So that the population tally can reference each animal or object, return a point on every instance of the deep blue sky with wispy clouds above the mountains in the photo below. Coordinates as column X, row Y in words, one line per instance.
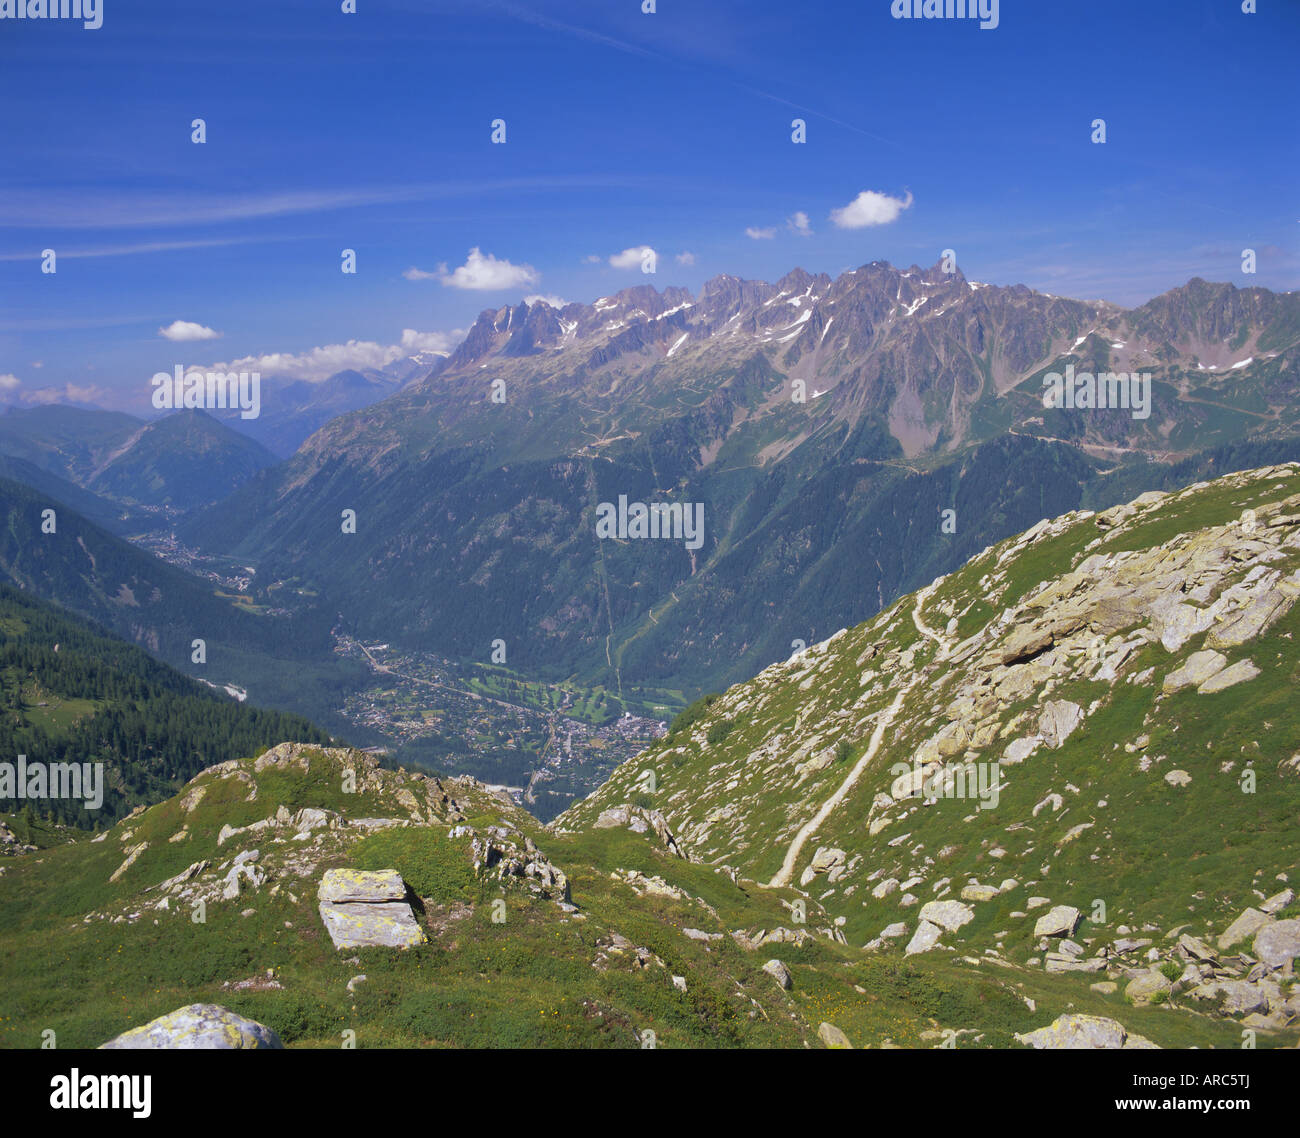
column 673, row 131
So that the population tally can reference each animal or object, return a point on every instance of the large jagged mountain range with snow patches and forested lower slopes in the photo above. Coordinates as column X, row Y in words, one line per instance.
column 824, row 425
